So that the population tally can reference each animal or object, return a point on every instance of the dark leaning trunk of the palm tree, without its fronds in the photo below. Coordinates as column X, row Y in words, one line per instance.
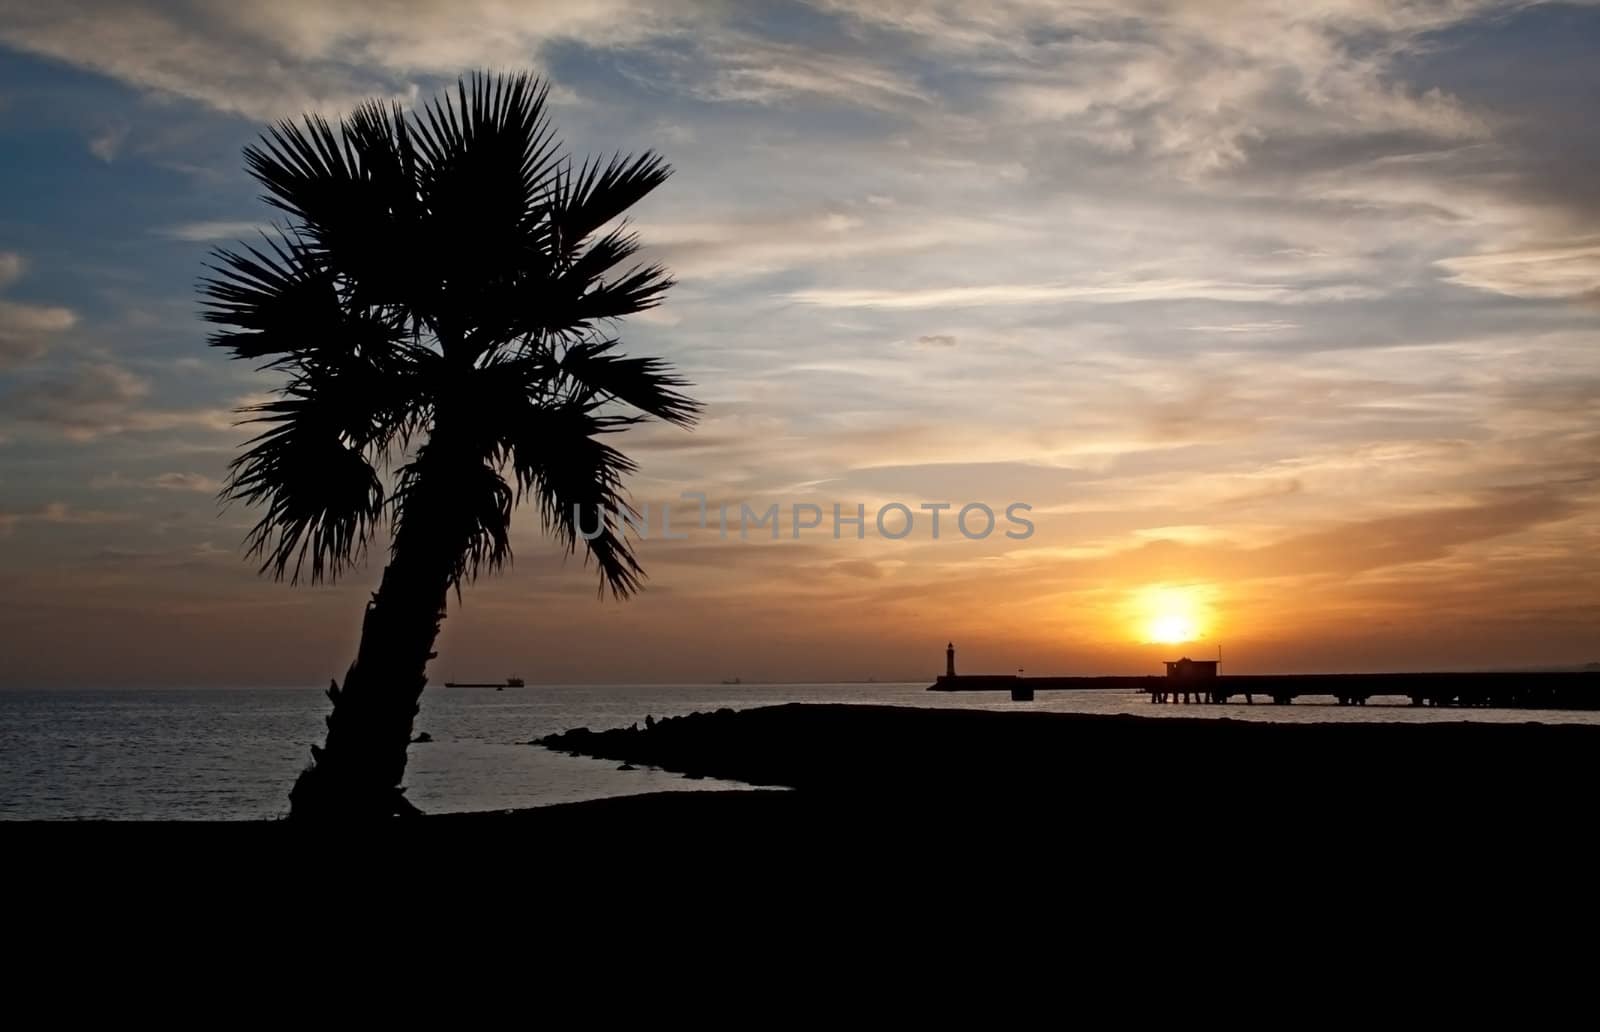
column 359, row 769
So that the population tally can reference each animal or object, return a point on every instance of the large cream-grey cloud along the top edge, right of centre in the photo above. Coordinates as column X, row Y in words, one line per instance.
column 1198, row 89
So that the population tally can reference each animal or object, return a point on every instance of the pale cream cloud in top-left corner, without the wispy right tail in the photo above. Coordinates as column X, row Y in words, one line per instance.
column 306, row 55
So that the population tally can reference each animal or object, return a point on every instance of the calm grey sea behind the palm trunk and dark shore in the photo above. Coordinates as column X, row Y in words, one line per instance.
column 233, row 753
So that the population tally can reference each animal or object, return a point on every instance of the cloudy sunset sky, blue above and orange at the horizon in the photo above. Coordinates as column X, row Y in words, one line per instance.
column 1282, row 318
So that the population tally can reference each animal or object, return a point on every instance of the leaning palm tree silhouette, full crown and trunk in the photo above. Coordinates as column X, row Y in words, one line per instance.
column 439, row 306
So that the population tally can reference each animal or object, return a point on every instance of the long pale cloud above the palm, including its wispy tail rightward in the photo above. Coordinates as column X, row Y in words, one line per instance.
column 310, row 55
